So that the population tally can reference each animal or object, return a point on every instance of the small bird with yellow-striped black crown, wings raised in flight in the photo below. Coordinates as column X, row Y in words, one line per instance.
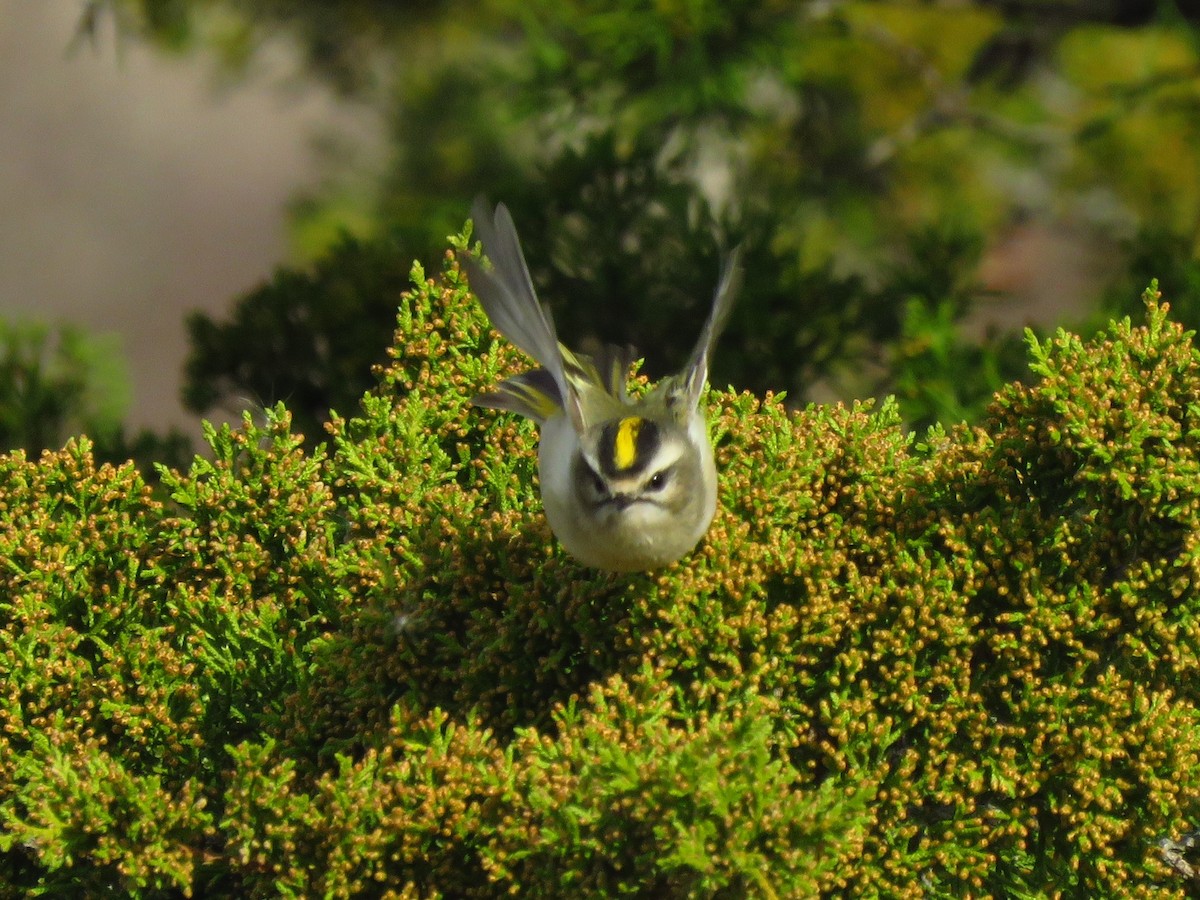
column 627, row 484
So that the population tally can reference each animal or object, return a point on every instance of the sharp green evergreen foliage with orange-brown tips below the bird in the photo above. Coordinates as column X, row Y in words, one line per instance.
column 965, row 667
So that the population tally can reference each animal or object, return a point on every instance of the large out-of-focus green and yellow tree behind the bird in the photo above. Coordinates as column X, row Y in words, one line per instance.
column 634, row 140
